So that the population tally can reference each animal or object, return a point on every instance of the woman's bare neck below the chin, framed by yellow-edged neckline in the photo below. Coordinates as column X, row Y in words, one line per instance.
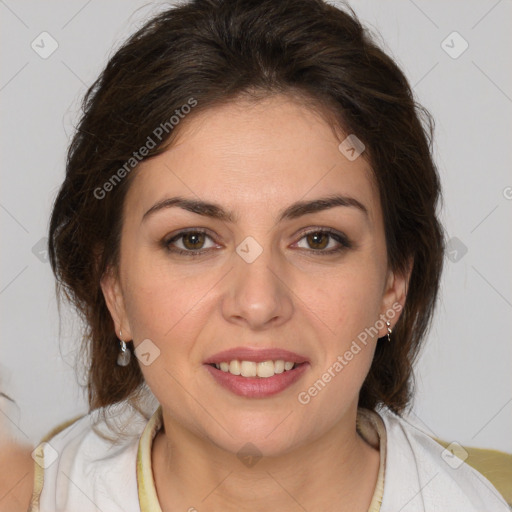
column 335, row 472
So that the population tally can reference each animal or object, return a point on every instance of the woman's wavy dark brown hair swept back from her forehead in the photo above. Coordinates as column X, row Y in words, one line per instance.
column 216, row 51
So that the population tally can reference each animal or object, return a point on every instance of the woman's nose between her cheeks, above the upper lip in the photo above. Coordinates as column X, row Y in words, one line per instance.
column 257, row 293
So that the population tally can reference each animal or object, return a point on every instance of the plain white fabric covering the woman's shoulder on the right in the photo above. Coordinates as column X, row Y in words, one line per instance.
column 422, row 476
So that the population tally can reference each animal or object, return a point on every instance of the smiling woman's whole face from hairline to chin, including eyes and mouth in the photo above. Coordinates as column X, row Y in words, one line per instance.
column 264, row 276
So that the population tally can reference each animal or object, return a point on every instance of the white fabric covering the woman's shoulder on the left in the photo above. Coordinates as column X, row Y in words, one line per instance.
column 84, row 463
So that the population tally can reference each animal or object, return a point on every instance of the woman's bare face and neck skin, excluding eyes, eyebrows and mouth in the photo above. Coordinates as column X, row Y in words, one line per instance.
column 255, row 159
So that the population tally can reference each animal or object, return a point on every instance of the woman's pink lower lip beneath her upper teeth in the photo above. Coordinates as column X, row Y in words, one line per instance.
column 257, row 387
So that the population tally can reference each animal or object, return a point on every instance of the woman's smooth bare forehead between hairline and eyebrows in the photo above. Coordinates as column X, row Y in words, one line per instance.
column 253, row 157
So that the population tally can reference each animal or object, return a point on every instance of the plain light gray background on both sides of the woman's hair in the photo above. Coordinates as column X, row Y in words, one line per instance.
column 464, row 390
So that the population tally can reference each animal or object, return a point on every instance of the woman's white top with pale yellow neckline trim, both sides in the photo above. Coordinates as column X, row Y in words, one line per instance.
column 77, row 470
